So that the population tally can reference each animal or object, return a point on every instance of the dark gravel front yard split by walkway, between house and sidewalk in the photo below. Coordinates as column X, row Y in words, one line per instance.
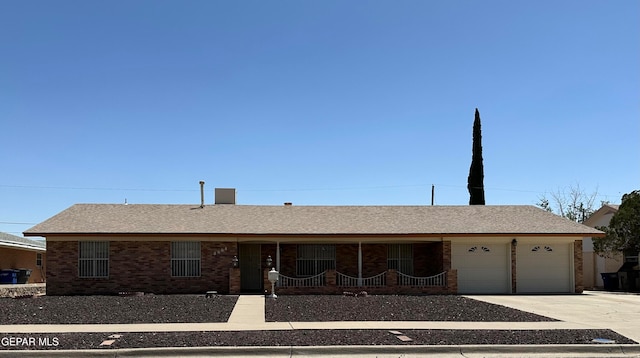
column 198, row 309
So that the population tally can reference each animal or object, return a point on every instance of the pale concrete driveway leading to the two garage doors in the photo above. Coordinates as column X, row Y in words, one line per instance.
column 593, row 309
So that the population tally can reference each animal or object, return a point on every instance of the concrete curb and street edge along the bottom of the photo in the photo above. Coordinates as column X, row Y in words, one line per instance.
column 557, row 350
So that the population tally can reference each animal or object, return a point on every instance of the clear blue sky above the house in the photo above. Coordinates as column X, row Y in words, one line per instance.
column 315, row 103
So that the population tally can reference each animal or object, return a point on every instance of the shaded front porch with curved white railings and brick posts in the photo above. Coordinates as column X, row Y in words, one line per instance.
column 352, row 268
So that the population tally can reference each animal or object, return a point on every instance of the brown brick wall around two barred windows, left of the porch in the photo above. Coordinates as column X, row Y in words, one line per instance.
column 136, row 266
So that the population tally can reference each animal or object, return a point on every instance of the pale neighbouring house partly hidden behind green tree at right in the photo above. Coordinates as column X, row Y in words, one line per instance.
column 594, row 264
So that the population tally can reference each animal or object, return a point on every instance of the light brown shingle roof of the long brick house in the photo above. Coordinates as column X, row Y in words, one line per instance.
column 300, row 220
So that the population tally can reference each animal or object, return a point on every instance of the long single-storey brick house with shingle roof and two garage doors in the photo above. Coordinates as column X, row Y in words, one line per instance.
column 163, row 249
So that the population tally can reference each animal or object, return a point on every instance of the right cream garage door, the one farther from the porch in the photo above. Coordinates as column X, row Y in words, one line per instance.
column 544, row 268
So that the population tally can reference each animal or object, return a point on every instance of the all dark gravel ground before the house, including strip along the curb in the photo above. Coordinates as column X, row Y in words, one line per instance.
column 198, row 309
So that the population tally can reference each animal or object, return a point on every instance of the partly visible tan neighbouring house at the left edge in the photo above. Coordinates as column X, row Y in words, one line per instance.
column 21, row 253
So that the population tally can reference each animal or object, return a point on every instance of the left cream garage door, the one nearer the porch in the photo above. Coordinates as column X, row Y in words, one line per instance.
column 482, row 268
